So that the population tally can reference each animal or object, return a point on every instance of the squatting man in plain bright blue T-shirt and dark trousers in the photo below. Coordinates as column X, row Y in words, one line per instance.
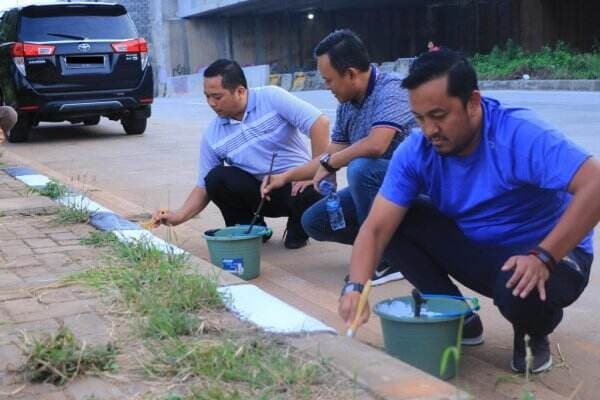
column 509, row 207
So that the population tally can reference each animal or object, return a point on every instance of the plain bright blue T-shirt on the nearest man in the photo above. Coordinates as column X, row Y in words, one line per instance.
column 510, row 191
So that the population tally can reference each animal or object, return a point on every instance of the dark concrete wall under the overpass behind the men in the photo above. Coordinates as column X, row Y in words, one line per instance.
column 285, row 40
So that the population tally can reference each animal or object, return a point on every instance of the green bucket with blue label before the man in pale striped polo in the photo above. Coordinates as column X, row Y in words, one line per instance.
column 236, row 251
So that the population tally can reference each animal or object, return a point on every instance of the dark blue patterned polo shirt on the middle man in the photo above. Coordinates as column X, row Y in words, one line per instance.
column 385, row 105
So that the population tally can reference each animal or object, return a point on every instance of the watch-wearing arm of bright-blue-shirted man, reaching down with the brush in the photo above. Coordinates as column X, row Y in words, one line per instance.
column 373, row 237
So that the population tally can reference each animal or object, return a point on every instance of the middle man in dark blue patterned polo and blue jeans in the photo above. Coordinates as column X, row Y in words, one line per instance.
column 372, row 119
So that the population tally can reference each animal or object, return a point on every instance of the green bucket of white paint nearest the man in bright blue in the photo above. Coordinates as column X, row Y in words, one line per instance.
column 421, row 341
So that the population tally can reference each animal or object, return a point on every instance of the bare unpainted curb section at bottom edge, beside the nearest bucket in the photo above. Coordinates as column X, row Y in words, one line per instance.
column 383, row 375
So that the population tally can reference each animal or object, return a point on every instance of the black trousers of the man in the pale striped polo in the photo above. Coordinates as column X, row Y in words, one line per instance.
column 237, row 194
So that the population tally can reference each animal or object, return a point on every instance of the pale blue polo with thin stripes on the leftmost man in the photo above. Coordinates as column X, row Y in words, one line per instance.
column 271, row 123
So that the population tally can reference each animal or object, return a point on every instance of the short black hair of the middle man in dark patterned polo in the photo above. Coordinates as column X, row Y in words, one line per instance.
column 345, row 50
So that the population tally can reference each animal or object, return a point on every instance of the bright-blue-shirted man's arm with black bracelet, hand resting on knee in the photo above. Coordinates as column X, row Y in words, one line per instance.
column 581, row 216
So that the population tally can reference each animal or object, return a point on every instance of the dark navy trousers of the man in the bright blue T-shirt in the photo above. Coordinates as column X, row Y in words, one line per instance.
column 429, row 249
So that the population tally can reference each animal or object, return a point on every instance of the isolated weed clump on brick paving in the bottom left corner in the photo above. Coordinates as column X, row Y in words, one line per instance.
column 60, row 357
